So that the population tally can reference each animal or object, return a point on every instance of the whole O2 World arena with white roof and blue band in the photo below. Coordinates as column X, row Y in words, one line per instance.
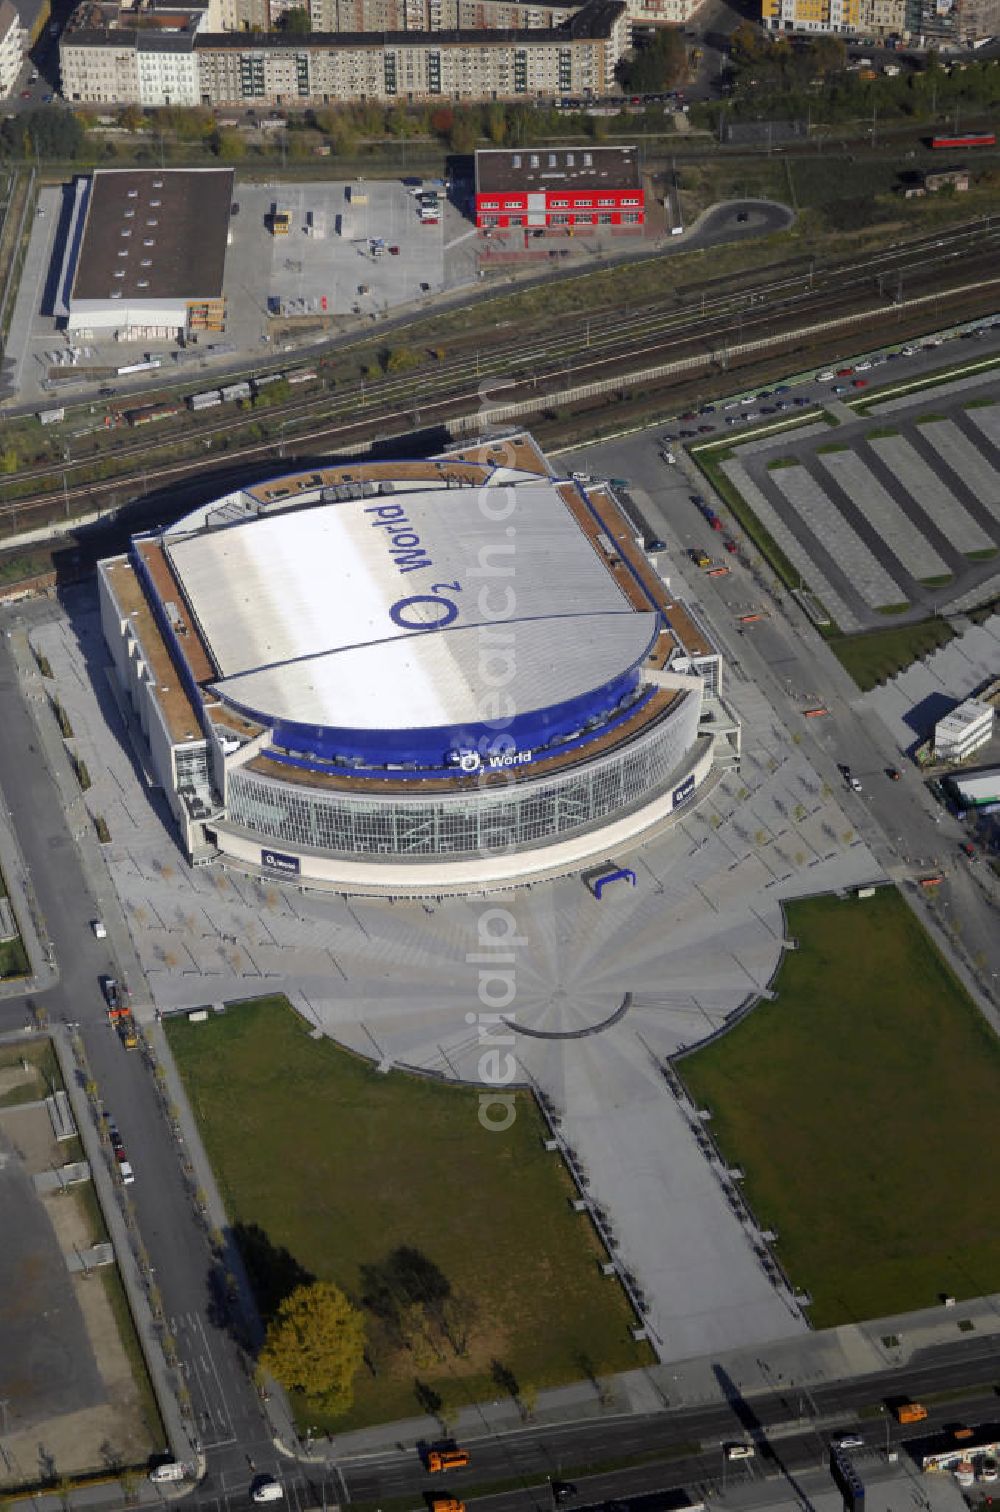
column 414, row 677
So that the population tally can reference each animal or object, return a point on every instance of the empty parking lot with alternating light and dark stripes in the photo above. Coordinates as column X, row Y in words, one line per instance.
column 895, row 512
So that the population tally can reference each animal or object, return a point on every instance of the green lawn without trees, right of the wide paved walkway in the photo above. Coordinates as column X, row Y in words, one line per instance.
column 863, row 1108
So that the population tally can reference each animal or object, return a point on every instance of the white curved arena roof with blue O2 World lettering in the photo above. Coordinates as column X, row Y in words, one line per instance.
column 297, row 609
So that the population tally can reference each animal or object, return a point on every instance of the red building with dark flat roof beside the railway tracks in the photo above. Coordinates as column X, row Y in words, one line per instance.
column 559, row 190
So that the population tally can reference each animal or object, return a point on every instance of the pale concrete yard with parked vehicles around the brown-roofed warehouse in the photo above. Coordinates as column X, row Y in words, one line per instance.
column 332, row 271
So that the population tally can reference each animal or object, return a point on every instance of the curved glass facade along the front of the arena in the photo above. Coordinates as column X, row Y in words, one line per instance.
column 491, row 820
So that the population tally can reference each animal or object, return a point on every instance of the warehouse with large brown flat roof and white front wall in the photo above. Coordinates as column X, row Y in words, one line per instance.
column 146, row 253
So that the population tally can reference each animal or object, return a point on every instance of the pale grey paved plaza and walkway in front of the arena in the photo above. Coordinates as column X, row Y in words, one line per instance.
column 603, row 991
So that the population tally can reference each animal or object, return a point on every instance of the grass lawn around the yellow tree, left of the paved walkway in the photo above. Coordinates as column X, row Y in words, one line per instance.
column 340, row 1167
